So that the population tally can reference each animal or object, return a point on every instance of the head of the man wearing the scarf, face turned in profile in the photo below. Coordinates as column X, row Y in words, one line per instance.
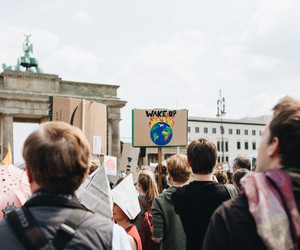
column 280, row 142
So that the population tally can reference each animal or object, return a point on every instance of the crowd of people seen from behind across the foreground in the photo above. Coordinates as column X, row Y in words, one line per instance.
column 200, row 207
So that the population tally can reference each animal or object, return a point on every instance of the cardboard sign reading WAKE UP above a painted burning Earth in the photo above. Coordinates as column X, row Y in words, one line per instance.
column 159, row 128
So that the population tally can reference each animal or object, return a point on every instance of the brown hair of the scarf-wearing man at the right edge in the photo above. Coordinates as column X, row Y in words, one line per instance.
column 285, row 125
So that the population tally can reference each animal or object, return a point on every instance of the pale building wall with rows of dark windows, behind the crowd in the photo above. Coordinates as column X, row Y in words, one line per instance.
column 235, row 131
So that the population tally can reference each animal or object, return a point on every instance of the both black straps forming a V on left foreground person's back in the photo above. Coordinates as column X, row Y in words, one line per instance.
column 31, row 235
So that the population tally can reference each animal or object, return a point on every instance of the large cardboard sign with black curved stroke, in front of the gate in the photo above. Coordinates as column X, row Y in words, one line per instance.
column 89, row 116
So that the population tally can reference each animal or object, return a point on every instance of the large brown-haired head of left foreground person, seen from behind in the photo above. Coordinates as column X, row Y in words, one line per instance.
column 57, row 157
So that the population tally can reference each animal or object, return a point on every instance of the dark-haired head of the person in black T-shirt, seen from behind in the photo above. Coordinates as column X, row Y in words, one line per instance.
column 202, row 156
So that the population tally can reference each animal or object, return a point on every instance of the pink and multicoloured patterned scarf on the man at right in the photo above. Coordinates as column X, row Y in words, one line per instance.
column 273, row 207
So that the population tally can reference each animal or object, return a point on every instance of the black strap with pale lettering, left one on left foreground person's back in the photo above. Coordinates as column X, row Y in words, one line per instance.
column 26, row 229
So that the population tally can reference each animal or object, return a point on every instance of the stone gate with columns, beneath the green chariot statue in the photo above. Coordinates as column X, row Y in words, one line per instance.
column 24, row 97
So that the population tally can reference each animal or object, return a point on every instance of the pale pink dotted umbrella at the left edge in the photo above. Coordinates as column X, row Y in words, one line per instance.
column 14, row 188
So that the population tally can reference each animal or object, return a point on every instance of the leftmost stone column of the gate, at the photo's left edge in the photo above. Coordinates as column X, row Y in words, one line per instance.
column 7, row 134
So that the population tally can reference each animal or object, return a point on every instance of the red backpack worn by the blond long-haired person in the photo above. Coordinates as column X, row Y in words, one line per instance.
column 146, row 230
